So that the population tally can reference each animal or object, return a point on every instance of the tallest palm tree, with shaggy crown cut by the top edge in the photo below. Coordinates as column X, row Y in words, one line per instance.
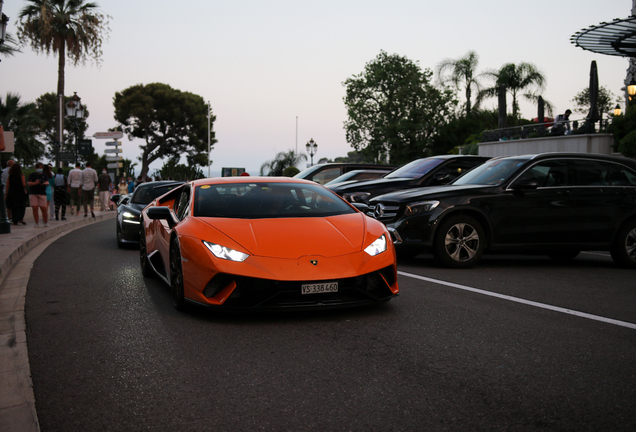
column 72, row 28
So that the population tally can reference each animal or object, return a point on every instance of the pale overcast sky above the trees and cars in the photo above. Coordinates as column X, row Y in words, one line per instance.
column 263, row 63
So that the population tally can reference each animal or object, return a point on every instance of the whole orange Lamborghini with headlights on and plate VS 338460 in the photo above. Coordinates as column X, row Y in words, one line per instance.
column 265, row 242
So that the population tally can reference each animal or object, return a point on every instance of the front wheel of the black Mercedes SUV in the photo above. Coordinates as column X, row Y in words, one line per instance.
column 459, row 242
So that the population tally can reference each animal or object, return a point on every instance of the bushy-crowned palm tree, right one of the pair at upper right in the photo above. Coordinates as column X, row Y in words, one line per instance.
column 516, row 78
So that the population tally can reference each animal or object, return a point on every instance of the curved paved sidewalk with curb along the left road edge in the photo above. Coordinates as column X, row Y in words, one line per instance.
column 17, row 403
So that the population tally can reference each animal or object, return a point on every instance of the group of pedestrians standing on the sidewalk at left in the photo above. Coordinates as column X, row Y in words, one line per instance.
column 45, row 189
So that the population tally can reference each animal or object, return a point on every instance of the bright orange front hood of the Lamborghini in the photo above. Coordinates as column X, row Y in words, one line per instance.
column 292, row 238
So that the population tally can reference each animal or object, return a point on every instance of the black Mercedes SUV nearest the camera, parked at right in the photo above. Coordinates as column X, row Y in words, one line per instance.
column 554, row 203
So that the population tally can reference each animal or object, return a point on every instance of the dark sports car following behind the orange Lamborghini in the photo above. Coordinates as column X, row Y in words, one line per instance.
column 129, row 208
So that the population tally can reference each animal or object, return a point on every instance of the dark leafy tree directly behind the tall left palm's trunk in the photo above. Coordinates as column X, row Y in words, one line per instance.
column 47, row 106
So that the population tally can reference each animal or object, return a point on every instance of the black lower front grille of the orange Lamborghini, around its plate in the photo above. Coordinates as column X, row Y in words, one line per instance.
column 264, row 293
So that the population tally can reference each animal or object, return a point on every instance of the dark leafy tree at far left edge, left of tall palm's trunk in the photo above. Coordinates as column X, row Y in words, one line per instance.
column 23, row 120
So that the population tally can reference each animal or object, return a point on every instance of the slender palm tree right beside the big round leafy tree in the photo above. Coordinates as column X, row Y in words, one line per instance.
column 461, row 71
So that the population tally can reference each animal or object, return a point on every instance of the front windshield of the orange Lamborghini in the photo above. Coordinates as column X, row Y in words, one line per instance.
column 267, row 200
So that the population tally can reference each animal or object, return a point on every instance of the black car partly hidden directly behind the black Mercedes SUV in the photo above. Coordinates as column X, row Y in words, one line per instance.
column 431, row 171
